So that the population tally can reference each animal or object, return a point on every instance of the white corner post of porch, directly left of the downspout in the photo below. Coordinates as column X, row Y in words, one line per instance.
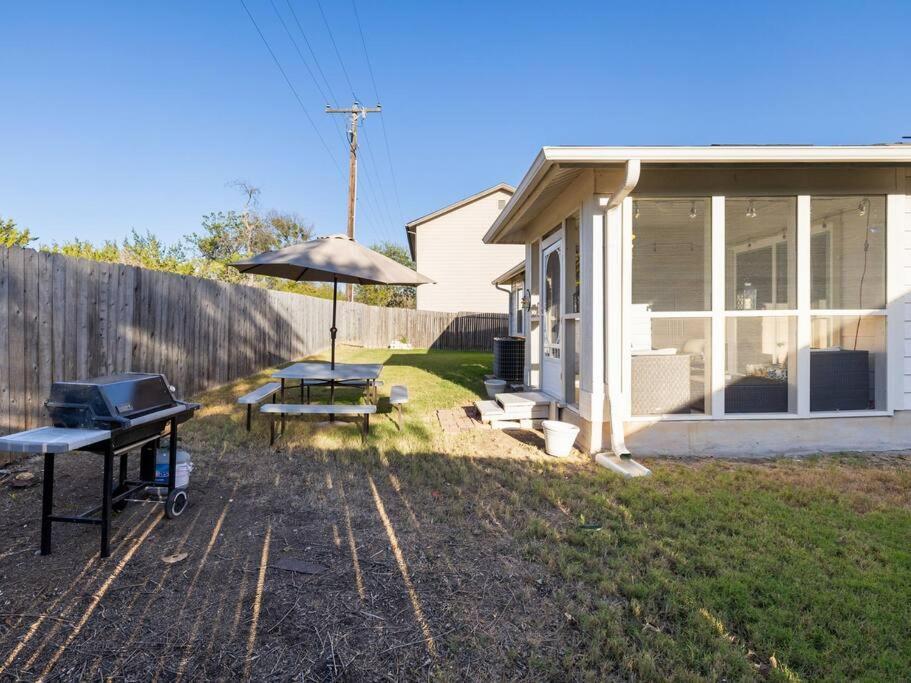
column 591, row 307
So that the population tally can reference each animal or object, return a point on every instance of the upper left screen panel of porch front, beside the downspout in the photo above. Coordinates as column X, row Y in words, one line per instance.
column 672, row 265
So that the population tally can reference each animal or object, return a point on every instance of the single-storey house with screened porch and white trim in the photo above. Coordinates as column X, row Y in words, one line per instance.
column 718, row 300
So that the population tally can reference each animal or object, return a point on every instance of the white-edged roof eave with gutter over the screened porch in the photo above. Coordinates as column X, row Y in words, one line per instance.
column 556, row 167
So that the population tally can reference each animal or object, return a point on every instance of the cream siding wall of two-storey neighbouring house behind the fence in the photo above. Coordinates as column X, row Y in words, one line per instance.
column 449, row 250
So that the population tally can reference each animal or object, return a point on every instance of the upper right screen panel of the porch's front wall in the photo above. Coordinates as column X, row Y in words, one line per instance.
column 848, row 254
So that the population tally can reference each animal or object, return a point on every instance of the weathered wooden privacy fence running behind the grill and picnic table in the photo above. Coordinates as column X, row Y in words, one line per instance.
column 66, row 318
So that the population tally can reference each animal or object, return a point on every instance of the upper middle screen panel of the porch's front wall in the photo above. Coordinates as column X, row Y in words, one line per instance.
column 761, row 256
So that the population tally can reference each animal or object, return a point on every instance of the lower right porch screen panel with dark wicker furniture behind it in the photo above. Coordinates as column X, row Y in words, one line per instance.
column 848, row 363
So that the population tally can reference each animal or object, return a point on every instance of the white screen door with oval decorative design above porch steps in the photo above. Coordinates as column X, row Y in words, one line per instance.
column 552, row 315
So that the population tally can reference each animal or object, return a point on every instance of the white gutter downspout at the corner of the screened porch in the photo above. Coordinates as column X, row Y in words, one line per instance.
column 614, row 298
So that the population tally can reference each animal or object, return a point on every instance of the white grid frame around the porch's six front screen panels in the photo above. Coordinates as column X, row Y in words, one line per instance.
column 895, row 224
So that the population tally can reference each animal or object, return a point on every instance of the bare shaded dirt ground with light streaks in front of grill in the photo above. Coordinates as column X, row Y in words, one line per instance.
column 406, row 584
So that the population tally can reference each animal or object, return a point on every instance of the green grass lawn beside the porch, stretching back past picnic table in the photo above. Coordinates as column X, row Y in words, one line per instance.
column 784, row 569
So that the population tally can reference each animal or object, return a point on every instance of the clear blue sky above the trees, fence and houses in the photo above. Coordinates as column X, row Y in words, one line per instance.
column 138, row 115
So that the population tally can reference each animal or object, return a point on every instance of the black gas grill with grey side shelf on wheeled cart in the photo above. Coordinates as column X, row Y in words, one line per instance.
column 110, row 416
